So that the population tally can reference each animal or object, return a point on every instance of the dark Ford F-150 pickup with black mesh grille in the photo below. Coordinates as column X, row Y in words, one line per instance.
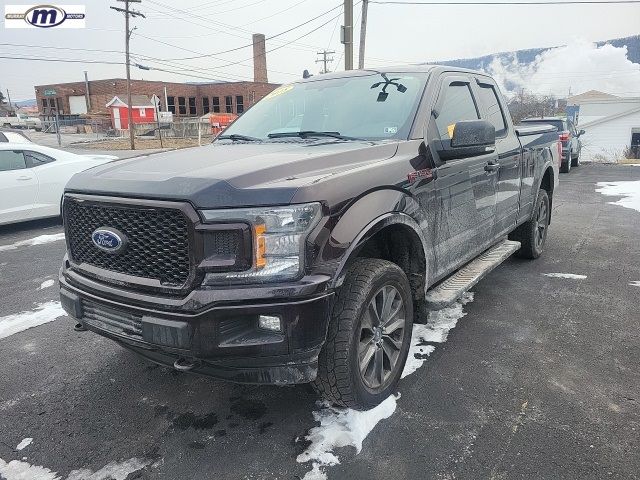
column 302, row 244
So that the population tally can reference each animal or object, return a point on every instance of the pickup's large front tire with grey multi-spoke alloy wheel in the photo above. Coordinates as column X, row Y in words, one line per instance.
column 355, row 339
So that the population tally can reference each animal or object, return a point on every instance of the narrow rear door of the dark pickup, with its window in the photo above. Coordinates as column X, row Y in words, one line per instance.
column 509, row 156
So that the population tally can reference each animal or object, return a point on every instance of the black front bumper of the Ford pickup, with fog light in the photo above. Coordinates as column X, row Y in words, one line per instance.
column 219, row 340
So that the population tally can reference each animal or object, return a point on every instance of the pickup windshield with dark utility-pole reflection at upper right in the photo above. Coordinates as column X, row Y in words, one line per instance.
column 376, row 106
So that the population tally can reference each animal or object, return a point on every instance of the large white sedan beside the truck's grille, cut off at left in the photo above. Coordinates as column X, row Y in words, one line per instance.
column 33, row 177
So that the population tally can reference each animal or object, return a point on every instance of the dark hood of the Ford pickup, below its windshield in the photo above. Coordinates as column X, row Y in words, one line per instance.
column 229, row 175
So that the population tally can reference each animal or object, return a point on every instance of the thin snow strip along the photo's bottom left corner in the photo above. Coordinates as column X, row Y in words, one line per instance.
column 19, row 470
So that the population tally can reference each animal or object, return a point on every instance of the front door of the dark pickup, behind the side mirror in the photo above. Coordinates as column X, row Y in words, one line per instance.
column 465, row 187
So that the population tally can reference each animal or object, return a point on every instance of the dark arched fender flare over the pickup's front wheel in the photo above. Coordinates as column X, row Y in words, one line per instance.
column 372, row 228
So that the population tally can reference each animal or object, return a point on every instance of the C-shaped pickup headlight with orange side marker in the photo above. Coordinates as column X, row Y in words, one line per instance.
column 279, row 235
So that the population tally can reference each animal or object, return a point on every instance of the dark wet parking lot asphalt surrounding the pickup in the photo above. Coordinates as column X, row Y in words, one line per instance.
column 541, row 378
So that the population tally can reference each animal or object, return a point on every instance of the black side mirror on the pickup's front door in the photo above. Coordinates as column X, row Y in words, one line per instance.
column 470, row 138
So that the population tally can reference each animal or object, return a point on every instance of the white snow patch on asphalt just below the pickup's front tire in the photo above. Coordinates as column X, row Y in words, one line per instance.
column 340, row 427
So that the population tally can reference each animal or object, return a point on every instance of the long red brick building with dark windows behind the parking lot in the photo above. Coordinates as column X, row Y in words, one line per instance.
column 182, row 99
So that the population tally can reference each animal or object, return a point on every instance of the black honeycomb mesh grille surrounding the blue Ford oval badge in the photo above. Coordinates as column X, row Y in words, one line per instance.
column 158, row 241
